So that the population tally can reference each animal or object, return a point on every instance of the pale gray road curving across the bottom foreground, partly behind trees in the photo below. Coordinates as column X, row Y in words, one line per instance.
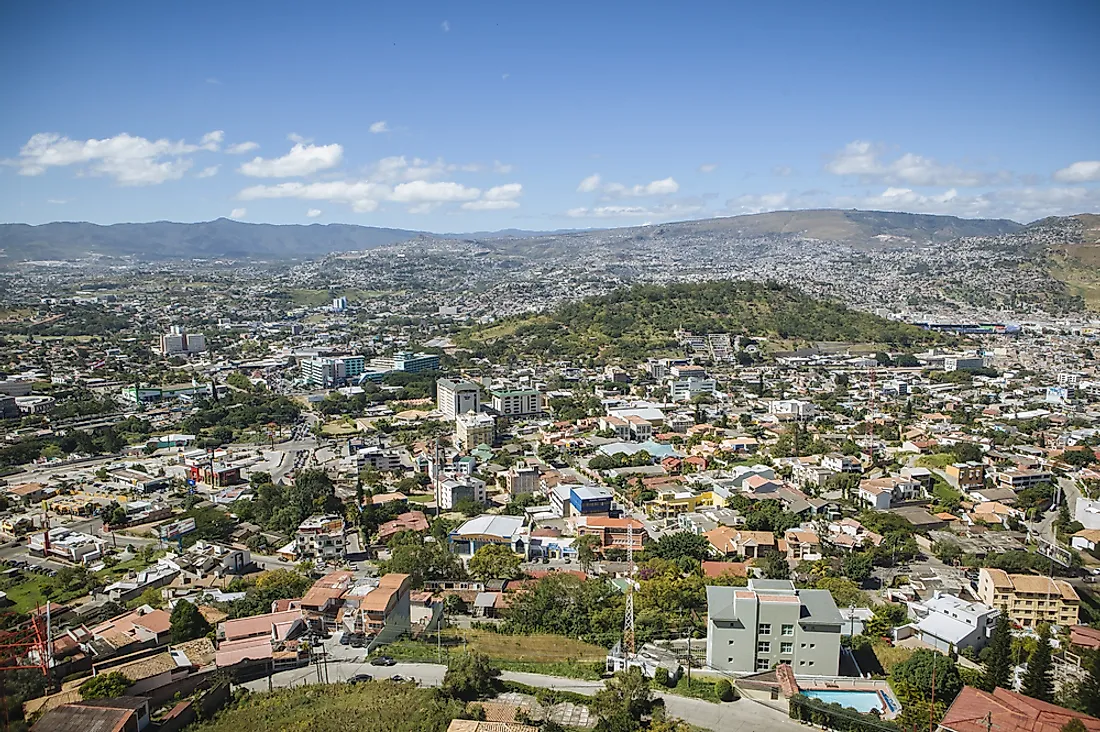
column 743, row 716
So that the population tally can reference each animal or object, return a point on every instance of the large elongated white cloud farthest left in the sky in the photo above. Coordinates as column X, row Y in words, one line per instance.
column 128, row 159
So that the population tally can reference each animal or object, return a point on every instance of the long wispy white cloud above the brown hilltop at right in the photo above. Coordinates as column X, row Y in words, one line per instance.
column 864, row 159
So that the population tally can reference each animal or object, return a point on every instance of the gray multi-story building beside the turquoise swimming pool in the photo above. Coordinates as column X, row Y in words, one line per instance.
column 753, row 629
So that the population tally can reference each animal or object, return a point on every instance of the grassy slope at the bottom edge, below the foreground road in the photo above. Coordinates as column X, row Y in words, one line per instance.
column 372, row 707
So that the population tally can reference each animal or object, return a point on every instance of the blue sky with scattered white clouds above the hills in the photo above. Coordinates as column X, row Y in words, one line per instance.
column 486, row 116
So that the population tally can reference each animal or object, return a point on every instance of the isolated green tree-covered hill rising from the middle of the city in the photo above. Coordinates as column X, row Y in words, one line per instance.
column 641, row 322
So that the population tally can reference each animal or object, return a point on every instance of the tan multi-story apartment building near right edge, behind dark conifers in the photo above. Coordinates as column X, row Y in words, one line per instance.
column 1029, row 600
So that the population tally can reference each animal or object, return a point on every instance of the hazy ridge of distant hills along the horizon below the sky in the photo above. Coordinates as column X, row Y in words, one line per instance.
column 225, row 238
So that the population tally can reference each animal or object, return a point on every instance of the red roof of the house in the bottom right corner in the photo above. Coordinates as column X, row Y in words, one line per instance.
column 1008, row 712
